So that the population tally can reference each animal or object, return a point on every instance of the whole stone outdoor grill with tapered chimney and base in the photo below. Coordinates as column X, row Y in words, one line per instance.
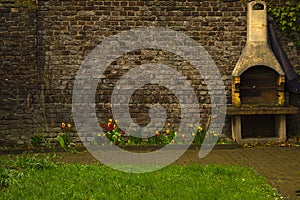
column 259, row 101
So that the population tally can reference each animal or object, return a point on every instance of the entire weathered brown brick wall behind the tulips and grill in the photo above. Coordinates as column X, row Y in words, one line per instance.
column 42, row 50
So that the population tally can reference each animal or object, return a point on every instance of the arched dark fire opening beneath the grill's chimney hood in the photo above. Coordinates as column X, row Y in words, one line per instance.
column 259, row 86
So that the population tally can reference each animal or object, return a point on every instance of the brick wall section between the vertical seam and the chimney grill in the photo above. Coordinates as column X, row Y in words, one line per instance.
column 69, row 30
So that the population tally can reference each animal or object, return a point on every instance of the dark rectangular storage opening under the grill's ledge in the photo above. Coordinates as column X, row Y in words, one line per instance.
column 258, row 126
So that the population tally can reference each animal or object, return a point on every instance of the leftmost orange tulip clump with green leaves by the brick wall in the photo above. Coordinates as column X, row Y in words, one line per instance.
column 64, row 137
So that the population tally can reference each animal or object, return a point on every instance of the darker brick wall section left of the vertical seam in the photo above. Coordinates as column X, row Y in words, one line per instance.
column 18, row 73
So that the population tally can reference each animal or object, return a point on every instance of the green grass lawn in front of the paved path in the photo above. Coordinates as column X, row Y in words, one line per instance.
column 41, row 178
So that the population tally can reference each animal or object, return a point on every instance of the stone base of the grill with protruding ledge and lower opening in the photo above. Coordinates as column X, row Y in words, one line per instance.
column 259, row 123
